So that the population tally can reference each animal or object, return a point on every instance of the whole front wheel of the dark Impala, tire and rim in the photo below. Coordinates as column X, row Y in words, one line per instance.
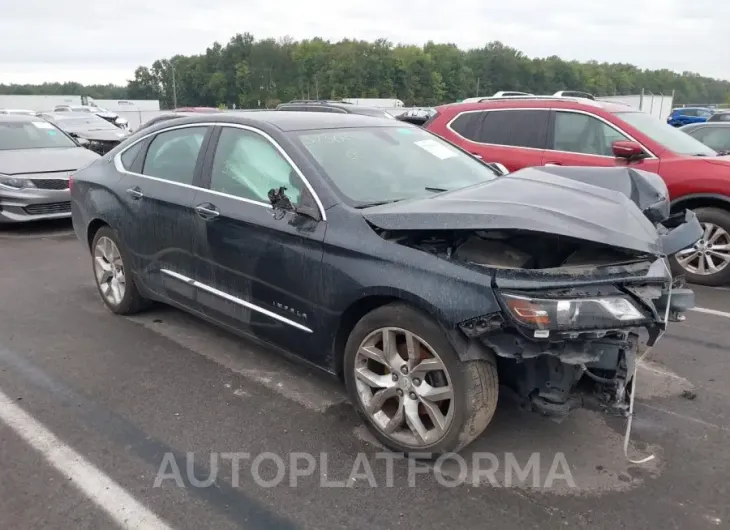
column 409, row 385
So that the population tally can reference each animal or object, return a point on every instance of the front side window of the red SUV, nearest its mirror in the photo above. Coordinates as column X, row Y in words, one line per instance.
column 581, row 133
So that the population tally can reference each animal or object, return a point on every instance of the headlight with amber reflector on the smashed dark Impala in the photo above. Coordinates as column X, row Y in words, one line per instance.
column 573, row 313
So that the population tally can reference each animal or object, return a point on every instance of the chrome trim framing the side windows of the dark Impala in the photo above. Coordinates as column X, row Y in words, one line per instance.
column 119, row 167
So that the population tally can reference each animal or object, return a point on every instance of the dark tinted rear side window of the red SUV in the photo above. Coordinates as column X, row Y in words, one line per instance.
column 518, row 128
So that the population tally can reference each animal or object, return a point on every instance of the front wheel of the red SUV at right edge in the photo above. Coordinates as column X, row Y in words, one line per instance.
column 708, row 261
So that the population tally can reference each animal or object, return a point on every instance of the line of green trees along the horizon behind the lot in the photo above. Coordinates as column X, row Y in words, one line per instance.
column 250, row 73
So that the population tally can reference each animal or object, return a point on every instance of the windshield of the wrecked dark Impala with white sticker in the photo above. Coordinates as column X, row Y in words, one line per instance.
column 371, row 165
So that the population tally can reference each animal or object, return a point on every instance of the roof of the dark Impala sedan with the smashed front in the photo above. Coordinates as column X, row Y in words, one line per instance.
column 286, row 121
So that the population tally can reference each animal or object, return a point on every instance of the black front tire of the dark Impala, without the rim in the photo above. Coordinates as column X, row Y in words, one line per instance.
column 474, row 384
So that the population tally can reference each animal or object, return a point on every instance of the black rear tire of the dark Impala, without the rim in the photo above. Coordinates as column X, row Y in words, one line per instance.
column 132, row 301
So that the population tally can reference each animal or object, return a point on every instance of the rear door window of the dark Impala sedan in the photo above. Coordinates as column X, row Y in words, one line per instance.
column 172, row 155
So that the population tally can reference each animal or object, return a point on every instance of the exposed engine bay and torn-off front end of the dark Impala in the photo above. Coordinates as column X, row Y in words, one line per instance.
column 556, row 369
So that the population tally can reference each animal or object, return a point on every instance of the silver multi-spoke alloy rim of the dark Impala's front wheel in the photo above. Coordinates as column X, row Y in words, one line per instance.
column 404, row 387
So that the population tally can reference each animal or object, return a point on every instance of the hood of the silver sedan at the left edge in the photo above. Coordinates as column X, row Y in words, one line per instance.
column 31, row 161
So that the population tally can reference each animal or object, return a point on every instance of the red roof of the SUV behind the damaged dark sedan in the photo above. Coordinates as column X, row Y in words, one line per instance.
column 539, row 102
